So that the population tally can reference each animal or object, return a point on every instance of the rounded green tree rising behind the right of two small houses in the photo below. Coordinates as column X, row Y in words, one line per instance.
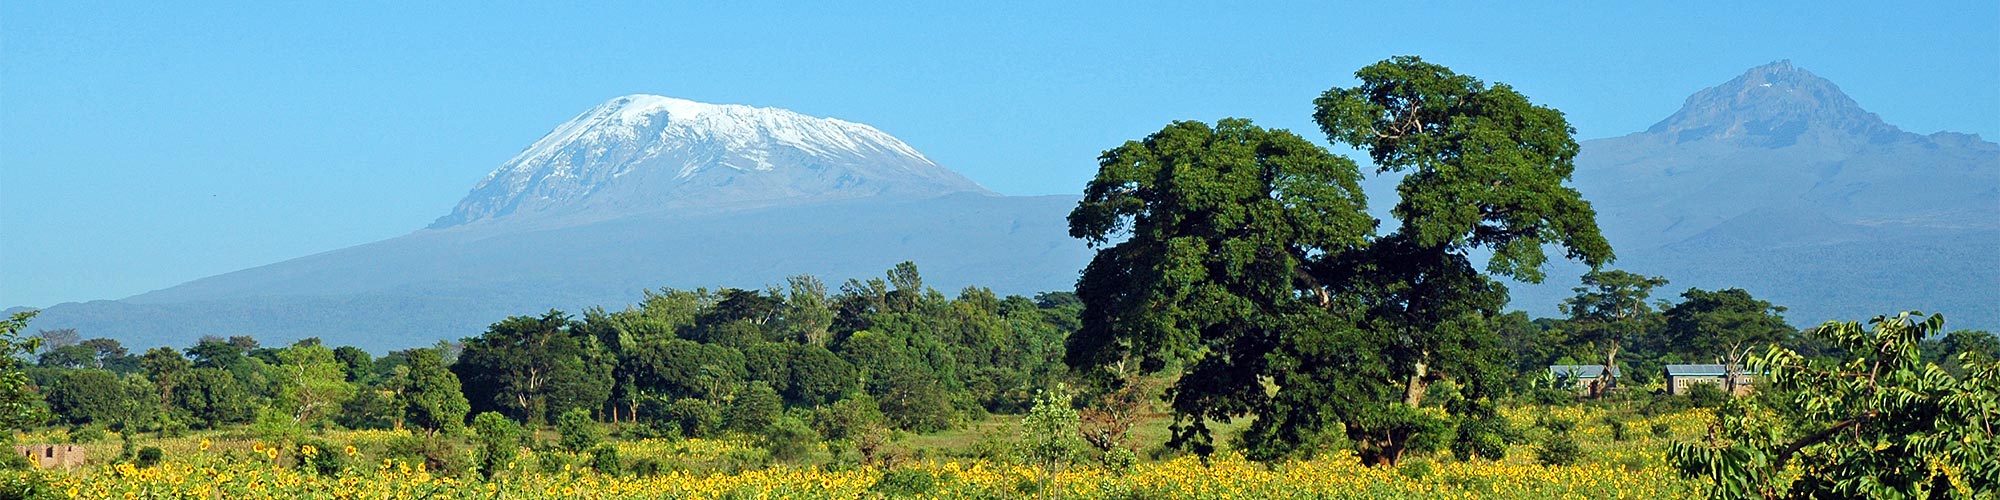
column 1725, row 325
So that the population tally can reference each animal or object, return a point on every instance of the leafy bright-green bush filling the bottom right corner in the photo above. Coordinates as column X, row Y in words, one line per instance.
column 1877, row 425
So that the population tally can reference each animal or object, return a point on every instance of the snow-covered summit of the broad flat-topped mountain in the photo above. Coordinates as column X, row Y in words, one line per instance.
column 641, row 153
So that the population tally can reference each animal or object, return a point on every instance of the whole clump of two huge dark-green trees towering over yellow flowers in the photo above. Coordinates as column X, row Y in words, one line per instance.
column 1247, row 259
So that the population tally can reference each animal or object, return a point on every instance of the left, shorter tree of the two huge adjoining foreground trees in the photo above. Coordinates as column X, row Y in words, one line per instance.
column 1219, row 225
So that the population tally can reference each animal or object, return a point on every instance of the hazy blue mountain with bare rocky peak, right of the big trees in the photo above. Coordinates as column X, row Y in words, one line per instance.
column 1783, row 185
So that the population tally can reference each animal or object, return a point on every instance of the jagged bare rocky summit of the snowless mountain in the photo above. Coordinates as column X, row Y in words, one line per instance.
column 1773, row 107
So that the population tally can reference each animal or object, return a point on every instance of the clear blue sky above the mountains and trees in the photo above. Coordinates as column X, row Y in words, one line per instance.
column 153, row 143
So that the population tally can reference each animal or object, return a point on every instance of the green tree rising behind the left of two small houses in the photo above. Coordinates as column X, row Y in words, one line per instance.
column 1611, row 309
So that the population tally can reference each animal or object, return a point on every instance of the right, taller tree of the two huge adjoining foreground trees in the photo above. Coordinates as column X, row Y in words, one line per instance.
column 1483, row 169
